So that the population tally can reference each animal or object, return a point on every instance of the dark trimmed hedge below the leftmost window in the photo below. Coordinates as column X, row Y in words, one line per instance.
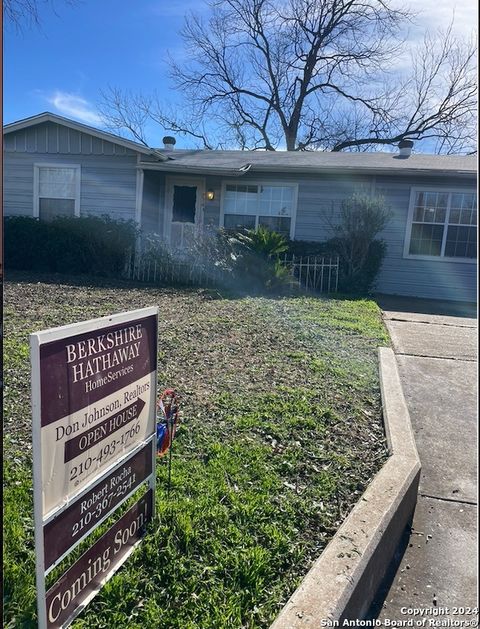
column 88, row 244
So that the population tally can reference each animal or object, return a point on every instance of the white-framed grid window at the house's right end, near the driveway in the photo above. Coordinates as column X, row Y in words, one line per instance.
column 443, row 225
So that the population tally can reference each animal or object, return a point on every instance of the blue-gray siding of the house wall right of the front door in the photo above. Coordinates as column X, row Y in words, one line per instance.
column 319, row 198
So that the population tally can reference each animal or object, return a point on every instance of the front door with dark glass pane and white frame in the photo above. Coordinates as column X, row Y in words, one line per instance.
column 184, row 215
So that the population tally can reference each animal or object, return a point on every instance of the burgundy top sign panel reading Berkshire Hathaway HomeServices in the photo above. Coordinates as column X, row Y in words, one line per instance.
column 86, row 368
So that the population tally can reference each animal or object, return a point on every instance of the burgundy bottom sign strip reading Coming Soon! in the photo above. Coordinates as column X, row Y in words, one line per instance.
column 94, row 567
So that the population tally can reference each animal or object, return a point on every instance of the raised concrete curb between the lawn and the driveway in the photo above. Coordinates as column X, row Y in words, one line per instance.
column 345, row 578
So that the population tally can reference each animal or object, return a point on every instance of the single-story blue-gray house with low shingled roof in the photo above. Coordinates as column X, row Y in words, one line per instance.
column 53, row 165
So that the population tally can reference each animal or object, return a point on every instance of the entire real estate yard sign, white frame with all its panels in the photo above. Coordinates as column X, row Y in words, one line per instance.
column 94, row 407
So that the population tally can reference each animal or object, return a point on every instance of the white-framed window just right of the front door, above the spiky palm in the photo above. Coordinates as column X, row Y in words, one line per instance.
column 248, row 206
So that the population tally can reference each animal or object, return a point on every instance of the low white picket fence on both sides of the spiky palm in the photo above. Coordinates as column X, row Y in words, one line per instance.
column 312, row 274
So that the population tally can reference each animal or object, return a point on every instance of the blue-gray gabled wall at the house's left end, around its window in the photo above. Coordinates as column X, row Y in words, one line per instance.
column 108, row 171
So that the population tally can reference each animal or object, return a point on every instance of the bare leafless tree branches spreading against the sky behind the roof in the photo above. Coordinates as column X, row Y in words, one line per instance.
column 310, row 74
